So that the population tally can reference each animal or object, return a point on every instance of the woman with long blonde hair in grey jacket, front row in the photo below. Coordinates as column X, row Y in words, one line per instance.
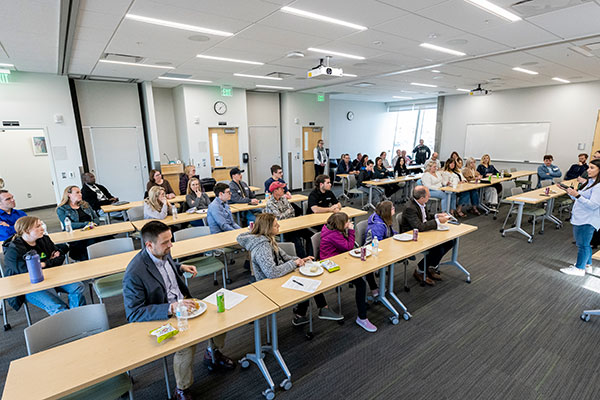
column 269, row 261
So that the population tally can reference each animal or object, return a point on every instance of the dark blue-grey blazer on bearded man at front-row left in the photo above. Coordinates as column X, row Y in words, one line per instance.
column 144, row 292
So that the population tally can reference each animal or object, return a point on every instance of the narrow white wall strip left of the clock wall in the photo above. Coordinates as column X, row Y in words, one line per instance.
column 165, row 123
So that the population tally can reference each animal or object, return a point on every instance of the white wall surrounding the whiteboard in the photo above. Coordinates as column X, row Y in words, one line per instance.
column 571, row 110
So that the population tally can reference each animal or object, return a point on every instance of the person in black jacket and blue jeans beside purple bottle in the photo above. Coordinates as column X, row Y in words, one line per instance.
column 30, row 236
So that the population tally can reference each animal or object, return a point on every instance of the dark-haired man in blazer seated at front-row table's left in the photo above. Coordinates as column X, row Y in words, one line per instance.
column 152, row 286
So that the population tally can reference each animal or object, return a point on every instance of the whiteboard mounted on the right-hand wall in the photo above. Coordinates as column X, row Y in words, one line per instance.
column 520, row 142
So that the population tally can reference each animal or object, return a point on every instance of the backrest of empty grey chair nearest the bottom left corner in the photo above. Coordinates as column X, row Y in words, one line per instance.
column 66, row 327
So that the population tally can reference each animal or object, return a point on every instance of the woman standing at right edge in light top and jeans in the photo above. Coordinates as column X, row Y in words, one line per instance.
column 585, row 219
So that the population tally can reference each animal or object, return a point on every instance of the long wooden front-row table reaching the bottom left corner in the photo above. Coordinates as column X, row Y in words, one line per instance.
column 66, row 369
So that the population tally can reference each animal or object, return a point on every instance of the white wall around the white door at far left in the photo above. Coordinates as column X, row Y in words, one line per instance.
column 34, row 99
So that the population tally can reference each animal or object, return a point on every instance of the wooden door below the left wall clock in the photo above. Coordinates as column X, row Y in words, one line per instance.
column 224, row 152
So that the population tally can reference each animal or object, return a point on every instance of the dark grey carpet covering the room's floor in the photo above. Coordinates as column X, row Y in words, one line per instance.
column 513, row 333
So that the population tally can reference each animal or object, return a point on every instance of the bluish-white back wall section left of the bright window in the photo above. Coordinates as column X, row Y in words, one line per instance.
column 370, row 132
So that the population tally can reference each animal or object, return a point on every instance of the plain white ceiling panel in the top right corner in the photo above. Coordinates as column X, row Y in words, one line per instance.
column 571, row 22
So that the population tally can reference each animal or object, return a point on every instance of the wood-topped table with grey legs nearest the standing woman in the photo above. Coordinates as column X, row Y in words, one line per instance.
column 534, row 197
